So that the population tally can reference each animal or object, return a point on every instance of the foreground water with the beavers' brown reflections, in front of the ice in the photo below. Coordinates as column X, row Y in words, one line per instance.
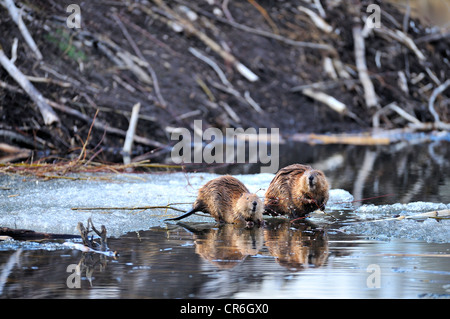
column 283, row 261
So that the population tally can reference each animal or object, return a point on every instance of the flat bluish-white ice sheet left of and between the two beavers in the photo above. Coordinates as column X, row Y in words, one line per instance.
column 46, row 206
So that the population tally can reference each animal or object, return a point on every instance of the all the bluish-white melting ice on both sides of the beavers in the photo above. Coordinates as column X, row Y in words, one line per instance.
column 46, row 206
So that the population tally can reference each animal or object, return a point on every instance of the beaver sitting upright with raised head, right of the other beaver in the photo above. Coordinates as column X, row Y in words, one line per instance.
column 296, row 190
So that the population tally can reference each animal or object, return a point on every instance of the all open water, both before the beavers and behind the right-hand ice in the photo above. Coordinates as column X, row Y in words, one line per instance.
column 312, row 258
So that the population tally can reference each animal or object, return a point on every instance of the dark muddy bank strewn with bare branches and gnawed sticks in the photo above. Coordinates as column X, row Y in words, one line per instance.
column 135, row 71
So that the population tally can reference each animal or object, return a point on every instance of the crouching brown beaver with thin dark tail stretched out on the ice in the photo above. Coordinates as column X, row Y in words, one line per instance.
column 228, row 201
